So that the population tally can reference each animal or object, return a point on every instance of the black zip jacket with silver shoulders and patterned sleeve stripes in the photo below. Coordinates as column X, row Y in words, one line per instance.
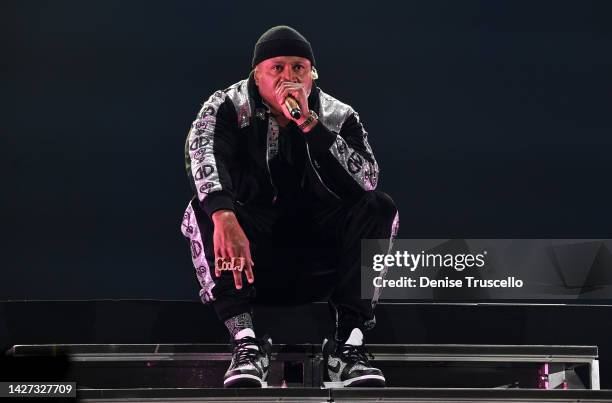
column 233, row 139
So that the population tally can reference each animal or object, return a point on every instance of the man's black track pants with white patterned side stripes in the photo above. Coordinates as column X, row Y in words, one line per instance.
column 302, row 253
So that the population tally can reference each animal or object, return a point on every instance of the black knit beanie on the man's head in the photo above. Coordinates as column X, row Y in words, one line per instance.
column 281, row 41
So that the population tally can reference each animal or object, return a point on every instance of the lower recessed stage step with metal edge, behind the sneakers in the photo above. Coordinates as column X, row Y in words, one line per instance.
column 198, row 365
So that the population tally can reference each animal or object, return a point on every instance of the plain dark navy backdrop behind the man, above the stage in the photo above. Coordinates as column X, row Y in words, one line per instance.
column 488, row 119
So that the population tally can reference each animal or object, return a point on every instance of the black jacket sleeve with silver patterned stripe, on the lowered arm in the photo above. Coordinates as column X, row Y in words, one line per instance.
column 210, row 152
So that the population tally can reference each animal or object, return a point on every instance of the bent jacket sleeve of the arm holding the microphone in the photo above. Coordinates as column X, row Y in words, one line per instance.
column 344, row 160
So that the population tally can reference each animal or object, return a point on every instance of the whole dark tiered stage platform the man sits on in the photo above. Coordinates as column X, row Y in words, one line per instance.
column 169, row 351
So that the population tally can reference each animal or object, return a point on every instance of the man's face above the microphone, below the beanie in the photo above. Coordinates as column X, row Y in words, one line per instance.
column 270, row 72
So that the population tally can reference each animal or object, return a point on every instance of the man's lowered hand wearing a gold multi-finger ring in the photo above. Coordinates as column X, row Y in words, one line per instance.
column 232, row 246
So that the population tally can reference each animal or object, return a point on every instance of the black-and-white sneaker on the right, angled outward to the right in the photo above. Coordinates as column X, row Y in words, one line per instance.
column 348, row 363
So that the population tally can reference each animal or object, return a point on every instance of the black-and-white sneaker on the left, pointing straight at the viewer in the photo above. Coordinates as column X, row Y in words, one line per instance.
column 250, row 363
